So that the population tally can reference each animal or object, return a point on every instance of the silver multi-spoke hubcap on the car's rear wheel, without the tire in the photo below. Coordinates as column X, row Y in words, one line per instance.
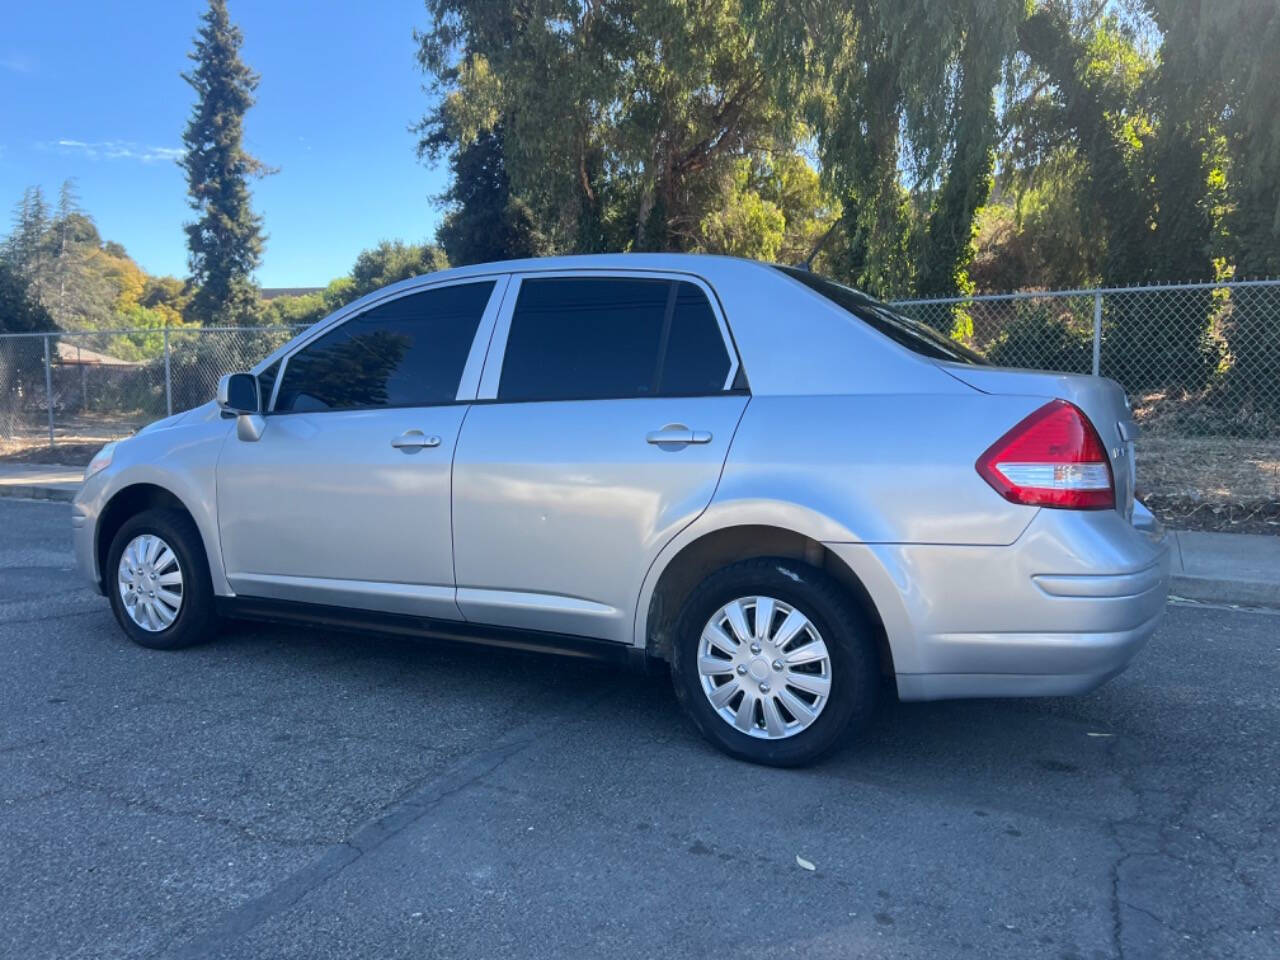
column 765, row 668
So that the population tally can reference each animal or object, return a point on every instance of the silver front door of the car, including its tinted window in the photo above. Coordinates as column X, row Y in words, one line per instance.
column 345, row 499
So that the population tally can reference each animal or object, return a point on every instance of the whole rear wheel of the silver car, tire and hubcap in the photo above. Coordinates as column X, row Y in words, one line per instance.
column 774, row 664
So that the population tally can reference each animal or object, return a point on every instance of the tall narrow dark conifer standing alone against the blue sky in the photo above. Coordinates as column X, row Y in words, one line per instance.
column 226, row 241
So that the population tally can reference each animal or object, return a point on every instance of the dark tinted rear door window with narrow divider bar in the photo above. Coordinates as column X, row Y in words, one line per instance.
column 600, row 339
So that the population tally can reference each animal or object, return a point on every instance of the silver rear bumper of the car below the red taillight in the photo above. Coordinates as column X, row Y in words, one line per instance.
column 1059, row 612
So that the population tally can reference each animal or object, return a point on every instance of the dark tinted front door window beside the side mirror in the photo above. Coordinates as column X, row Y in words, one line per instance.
column 406, row 353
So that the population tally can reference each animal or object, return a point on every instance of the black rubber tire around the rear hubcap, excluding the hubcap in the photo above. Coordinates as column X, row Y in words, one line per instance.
column 844, row 629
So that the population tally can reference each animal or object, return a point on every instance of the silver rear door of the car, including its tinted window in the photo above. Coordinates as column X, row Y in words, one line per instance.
column 605, row 417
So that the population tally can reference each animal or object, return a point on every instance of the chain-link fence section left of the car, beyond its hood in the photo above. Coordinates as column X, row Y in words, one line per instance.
column 70, row 391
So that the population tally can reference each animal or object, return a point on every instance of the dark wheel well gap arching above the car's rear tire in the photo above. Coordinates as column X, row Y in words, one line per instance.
column 707, row 555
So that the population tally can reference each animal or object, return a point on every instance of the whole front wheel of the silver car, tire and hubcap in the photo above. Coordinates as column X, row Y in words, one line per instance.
column 158, row 580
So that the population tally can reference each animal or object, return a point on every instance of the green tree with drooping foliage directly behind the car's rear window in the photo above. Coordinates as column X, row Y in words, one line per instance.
column 900, row 102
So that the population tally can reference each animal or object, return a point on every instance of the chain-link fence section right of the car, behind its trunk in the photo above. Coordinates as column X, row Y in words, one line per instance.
column 1201, row 364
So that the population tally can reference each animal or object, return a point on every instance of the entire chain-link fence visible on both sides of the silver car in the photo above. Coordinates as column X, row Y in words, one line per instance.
column 1201, row 364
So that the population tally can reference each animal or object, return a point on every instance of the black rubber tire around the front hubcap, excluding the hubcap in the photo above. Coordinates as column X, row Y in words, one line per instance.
column 196, row 621
